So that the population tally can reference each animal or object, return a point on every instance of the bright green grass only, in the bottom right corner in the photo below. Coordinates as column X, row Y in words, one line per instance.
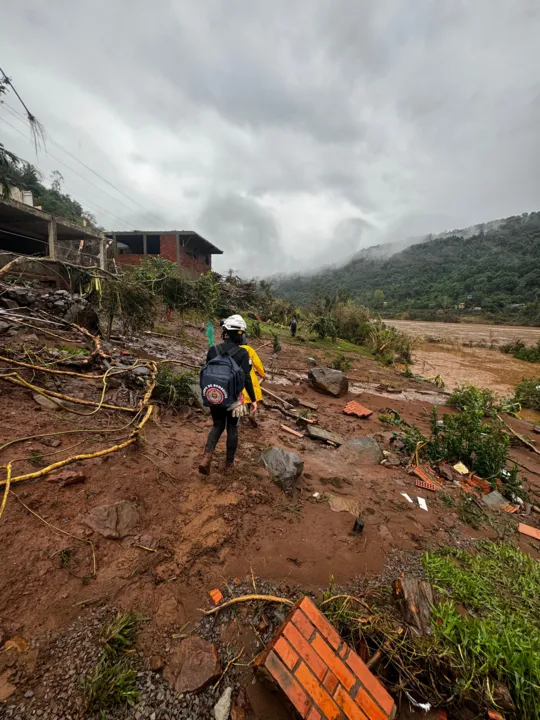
column 499, row 639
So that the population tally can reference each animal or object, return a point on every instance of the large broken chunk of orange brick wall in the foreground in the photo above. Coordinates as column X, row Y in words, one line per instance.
column 320, row 675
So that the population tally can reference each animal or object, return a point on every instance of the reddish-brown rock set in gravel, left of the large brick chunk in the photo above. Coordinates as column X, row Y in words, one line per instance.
column 192, row 665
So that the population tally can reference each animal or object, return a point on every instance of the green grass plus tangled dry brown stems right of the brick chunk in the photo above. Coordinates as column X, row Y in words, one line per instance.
column 485, row 632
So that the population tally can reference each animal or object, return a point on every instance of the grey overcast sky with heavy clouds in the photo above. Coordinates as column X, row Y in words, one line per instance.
column 290, row 134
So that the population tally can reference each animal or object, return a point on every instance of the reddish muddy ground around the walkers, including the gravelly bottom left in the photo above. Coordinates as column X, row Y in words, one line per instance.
column 196, row 534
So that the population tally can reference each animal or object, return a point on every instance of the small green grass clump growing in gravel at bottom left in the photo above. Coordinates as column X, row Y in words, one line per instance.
column 112, row 682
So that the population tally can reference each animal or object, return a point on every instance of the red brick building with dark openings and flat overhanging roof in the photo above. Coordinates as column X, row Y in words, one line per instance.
column 190, row 251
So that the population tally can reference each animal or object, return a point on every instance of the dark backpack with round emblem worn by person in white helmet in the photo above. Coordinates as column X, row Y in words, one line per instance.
column 222, row 379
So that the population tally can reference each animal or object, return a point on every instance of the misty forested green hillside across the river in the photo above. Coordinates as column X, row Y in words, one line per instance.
column 495, row 271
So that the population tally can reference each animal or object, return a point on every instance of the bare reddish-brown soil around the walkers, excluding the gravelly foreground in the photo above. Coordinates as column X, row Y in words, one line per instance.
column 206, row 531
